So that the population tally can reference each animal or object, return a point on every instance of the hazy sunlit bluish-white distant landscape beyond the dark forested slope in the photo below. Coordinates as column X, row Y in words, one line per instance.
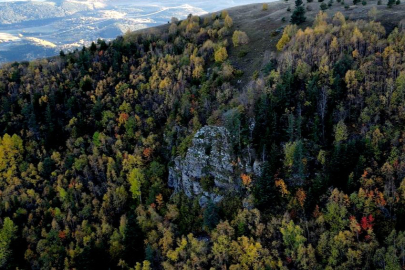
column 38, row 29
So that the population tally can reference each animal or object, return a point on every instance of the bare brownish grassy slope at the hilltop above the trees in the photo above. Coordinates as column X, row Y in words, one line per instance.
column 265, row 27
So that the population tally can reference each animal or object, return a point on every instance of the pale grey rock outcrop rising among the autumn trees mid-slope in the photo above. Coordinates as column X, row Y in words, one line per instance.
column 206, row 171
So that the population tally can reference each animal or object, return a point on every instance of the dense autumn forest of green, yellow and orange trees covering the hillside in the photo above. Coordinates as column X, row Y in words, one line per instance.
column 88, row 139
